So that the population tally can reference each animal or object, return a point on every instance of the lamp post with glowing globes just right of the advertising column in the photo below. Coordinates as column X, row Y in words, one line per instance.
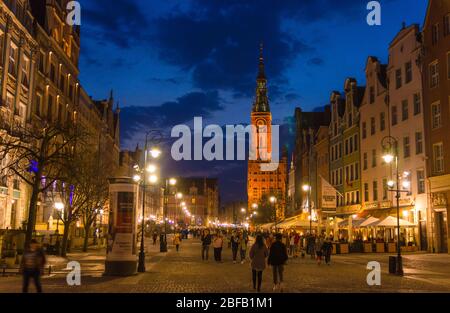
column 150, row 168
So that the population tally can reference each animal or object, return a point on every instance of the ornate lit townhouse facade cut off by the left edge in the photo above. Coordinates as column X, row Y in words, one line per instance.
column 18, row 53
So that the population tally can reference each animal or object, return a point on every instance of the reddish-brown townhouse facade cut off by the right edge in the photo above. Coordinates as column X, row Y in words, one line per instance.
column 436, row 106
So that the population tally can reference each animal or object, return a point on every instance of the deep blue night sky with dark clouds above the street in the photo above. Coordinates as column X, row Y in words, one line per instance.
column 168, row 61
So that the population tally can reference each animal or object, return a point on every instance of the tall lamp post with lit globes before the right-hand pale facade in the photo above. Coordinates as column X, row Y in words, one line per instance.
column 390, row 146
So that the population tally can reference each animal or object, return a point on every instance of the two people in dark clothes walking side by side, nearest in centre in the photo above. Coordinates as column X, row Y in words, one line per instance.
column 276, row 257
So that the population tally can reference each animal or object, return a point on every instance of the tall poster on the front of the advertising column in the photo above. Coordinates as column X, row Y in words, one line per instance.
column 123, row 234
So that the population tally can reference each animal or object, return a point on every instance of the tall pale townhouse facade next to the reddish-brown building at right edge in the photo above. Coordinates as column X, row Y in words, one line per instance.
column 406, row 126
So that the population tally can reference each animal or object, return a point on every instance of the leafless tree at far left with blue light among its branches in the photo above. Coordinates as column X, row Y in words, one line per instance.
column 39, row 155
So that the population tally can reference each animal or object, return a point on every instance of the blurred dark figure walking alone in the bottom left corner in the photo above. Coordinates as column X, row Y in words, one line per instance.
column 32, row 266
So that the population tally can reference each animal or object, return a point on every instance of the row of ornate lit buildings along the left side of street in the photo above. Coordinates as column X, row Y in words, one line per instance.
column 39, row 57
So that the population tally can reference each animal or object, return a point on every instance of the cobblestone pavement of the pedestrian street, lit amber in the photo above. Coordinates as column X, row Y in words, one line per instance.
column 184, row 271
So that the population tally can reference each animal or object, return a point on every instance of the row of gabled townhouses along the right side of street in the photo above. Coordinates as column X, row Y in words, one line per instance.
column 407, row 99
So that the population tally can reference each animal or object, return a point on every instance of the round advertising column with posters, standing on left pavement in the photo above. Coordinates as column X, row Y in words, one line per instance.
column 121, row 257
